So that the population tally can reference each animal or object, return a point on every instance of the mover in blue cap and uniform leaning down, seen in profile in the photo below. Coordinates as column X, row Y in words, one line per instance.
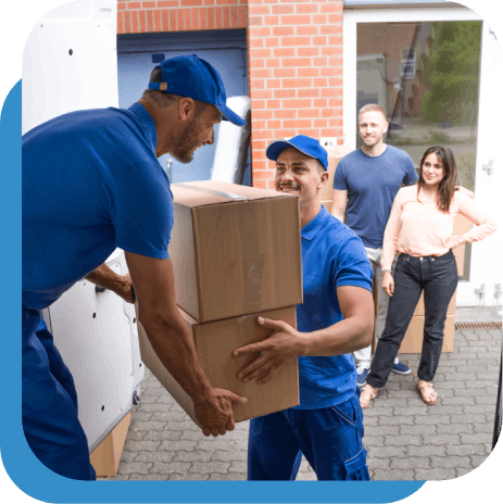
column 91, row 183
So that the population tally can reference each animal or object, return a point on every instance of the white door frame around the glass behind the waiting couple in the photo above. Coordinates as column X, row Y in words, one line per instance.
column 486, row 261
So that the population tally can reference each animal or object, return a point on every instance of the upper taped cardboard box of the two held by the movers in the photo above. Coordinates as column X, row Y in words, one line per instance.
column 235, row 249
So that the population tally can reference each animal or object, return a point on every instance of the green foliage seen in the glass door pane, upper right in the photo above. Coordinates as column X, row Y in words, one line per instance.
column 451, row 73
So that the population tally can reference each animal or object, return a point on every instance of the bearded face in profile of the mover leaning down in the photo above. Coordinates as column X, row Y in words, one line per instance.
column 198, row 132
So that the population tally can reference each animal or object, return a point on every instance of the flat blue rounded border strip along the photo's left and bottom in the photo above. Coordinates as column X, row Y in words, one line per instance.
column 35, row 480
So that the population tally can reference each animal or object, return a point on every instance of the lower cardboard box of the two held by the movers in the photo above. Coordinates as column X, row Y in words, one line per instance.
column 215, row 341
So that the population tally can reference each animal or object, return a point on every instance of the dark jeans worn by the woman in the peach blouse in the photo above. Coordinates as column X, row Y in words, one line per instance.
column 438, row 277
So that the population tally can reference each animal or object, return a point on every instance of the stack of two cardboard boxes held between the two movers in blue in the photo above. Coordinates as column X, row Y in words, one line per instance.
column 236, row 254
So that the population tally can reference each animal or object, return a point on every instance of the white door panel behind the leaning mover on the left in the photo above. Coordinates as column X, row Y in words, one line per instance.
column 69, row 62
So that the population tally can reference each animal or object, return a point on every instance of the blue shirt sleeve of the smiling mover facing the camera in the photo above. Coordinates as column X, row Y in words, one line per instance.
column 353, row 267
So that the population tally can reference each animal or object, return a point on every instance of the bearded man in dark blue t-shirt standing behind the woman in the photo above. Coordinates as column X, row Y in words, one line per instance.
column 365, row 184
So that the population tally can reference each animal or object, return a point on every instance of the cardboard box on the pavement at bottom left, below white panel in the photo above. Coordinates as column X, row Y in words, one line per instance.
column 106, row 457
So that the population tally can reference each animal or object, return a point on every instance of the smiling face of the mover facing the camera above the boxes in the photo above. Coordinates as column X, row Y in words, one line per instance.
column 299, row 174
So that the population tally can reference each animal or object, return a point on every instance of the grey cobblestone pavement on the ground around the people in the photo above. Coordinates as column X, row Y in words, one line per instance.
column 405, row 438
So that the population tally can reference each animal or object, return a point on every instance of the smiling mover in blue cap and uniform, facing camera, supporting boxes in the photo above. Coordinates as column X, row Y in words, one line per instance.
column 335, row 319
